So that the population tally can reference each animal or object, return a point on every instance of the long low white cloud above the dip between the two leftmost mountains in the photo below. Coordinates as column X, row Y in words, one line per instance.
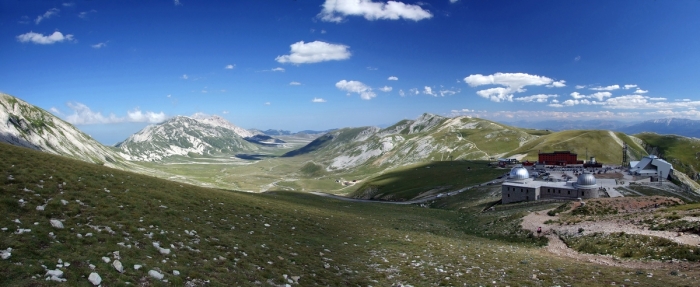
column 83, row 115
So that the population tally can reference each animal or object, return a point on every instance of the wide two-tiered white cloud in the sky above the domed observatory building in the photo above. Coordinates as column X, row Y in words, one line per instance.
column 512, row 82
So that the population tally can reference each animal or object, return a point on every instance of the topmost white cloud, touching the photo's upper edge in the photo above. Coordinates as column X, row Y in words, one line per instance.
column 336, row 10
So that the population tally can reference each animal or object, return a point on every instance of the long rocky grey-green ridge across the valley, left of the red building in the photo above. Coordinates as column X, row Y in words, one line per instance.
column 429, row 137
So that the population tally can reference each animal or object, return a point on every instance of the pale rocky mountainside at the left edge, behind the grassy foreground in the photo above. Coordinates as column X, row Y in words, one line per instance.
column 29, row 126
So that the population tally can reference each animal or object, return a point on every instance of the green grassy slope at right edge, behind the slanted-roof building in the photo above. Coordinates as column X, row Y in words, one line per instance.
column 682, row 152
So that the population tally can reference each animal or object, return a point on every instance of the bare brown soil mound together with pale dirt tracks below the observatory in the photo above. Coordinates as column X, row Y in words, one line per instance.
column 632, row 209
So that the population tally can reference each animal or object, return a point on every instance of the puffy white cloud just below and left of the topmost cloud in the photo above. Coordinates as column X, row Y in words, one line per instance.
column 314, row 52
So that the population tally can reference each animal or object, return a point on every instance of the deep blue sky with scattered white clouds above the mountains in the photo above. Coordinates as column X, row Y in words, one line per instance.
column 112, row 67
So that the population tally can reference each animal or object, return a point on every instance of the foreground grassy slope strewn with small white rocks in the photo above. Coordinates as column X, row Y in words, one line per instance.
column 246, row 238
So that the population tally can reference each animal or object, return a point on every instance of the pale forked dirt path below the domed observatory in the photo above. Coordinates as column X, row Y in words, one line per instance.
column 557, row 247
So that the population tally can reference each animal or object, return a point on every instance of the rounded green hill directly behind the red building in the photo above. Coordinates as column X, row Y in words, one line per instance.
column 605, row 146
